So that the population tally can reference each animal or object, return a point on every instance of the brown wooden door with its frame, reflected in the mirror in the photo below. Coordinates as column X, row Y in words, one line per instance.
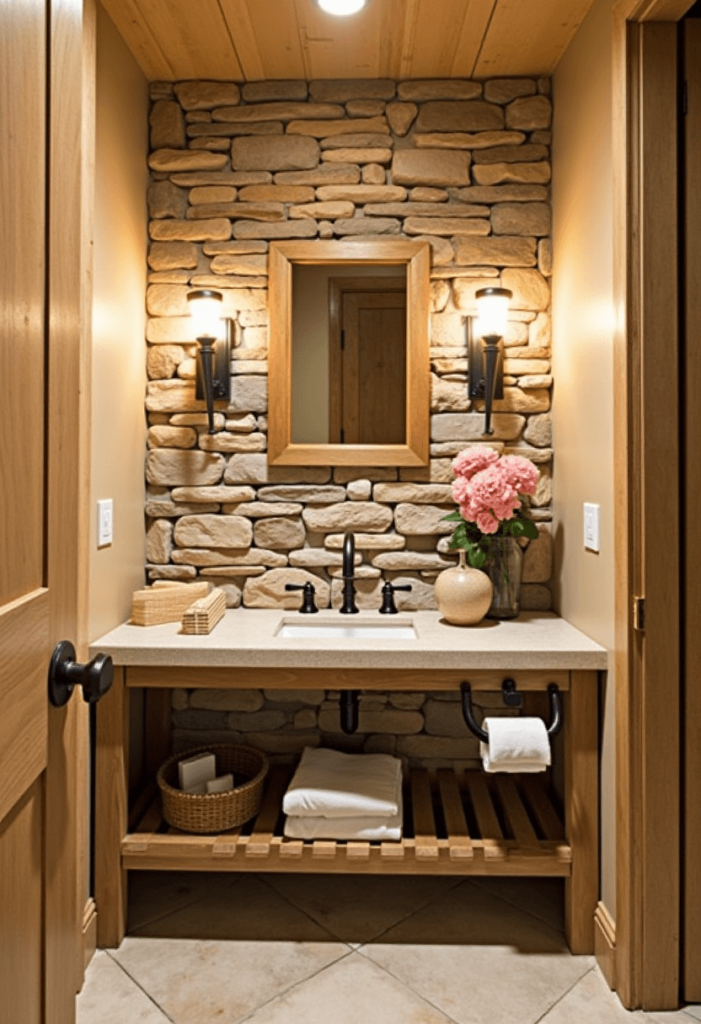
column 368, row 367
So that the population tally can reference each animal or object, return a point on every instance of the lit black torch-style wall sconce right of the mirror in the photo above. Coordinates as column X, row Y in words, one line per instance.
column 486, row 355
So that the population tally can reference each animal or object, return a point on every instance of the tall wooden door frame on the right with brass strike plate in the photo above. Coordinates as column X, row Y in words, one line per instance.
column 646, row 445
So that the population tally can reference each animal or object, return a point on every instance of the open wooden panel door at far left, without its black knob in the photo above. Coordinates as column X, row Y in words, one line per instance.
column 40, row 336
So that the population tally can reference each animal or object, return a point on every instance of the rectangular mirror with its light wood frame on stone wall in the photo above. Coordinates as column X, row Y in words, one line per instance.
column 349, row 375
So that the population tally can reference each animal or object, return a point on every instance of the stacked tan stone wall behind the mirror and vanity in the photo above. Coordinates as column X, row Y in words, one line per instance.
column 463, row 165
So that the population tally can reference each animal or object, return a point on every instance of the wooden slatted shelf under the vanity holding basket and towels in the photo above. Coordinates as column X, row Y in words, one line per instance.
column 462, row 825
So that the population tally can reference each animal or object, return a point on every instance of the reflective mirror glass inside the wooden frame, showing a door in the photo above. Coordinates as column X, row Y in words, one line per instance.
column 349, row 356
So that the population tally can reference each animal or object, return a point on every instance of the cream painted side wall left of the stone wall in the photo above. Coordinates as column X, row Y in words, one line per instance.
column 118, row 327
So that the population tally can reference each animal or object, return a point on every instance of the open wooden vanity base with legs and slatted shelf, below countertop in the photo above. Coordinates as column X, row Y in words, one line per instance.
column 457, row 824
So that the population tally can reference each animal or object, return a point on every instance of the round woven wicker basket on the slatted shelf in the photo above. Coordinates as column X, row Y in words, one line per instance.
column 216, row 812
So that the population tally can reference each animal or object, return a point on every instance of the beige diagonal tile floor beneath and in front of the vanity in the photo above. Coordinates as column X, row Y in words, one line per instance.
column 325, row 950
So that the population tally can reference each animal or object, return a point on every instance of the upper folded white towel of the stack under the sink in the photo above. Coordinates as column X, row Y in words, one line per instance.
column 332, row 785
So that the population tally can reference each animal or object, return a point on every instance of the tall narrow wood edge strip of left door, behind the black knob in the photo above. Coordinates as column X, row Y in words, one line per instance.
column 70, row 202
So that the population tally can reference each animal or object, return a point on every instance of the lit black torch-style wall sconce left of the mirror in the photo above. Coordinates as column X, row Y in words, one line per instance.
column 213, row 380
